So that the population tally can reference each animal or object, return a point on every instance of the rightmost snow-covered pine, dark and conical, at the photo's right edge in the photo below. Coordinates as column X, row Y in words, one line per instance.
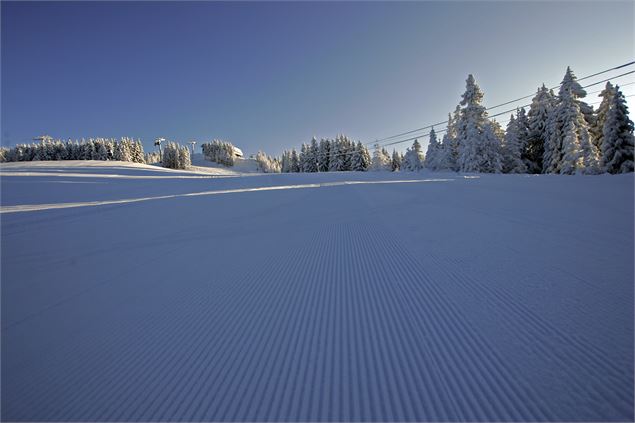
column 618, row 142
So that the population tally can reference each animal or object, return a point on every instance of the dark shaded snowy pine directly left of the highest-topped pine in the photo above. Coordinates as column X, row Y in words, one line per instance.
column 538, row 117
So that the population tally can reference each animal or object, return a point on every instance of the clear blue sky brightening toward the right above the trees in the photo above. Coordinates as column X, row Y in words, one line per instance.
column 271, row 75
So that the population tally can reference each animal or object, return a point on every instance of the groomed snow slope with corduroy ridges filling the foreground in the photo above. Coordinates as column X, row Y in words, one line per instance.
column 408, row 297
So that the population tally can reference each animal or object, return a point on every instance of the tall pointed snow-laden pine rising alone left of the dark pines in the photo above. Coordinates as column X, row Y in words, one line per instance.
column 471, row 123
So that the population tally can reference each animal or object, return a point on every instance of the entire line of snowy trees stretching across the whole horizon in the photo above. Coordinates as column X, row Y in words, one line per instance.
column 558, row 134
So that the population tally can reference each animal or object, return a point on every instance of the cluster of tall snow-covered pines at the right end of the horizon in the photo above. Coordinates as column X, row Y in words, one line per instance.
column 559, row 134
